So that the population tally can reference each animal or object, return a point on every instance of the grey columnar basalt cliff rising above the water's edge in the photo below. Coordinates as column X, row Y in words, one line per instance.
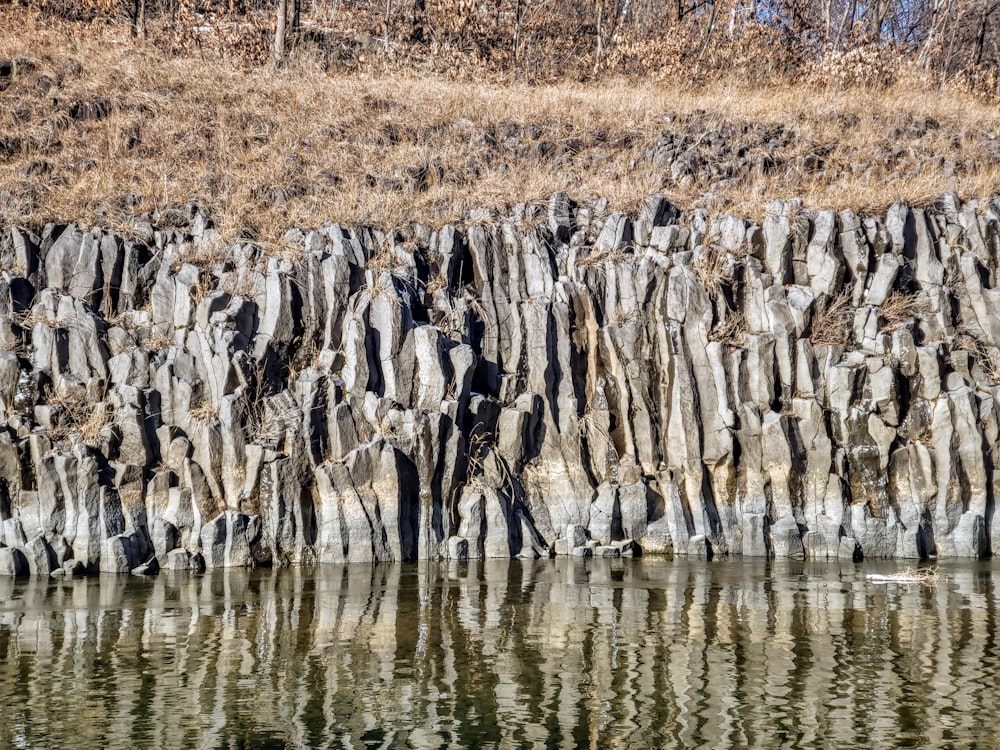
column 560, row 379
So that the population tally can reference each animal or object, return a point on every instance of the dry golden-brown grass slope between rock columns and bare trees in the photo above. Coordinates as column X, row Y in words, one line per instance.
column 297, row 147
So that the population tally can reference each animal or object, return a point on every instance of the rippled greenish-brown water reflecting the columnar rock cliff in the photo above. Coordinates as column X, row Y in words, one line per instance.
column 566, row 653
